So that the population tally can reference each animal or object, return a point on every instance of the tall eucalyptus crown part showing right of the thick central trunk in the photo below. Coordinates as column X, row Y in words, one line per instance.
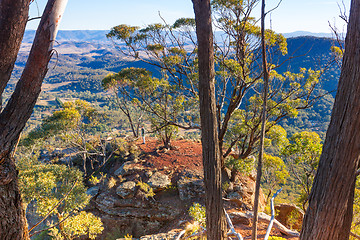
column 239, row 81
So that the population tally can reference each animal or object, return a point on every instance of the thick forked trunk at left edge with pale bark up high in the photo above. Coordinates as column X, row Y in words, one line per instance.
column 18, row 110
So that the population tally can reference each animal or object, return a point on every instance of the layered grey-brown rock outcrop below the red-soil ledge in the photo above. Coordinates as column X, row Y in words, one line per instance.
column 145, row 198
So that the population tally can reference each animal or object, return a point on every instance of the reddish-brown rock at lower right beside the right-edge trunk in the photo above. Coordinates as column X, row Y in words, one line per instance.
column 289, row 215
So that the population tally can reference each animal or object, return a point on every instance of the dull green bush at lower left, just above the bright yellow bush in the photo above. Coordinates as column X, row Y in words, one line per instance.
column 48, row 184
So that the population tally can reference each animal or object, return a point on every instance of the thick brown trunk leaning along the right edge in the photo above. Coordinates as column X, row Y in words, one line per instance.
column 329, row 212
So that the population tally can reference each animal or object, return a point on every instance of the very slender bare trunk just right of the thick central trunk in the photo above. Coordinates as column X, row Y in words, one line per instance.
column 263, row 122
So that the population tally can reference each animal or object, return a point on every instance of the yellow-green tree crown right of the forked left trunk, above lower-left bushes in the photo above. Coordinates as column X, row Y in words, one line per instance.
column 71, row 128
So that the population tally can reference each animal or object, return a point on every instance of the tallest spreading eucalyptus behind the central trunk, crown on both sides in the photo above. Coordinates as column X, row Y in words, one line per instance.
column 173, row 48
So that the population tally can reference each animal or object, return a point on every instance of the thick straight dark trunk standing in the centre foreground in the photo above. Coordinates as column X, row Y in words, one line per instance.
column 215, row 221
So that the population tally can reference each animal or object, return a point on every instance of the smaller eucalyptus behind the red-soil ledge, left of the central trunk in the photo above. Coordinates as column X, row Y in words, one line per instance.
column 142, row 97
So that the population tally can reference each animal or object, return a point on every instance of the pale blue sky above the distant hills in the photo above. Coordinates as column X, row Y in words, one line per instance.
column 290, row 16
